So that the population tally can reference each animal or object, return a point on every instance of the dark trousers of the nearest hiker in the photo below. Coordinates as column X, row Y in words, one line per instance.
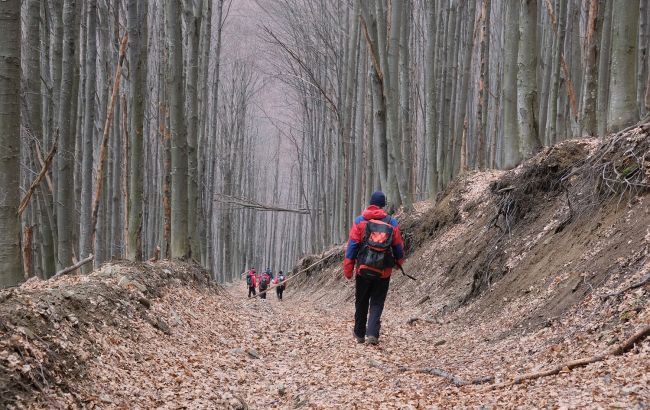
column 369, row 304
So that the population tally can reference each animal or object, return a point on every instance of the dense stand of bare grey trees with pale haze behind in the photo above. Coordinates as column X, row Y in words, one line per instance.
column 247, row 133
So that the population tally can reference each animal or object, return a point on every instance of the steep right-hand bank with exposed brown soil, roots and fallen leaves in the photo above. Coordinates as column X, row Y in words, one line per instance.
column 517, row 270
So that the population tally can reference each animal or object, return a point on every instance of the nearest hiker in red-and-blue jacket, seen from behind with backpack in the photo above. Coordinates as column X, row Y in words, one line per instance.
column 375, row 246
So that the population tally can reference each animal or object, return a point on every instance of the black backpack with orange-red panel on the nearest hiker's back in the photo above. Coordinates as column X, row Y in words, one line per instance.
column 376, row 253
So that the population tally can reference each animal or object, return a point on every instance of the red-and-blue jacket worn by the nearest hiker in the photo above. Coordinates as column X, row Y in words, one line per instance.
column 357, row 233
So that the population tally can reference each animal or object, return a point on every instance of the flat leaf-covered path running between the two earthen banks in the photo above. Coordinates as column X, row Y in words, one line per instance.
column 224, row 351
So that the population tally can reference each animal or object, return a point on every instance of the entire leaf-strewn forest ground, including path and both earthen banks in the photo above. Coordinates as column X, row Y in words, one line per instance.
column 517, row 272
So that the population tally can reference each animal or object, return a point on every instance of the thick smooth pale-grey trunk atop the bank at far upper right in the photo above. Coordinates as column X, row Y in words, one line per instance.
column 622, row 87
